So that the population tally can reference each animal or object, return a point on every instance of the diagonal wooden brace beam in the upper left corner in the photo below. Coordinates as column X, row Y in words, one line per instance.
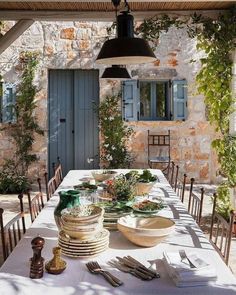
column 15, row 32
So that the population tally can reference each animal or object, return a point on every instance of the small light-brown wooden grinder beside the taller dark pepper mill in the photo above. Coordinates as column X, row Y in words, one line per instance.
column 56, row 265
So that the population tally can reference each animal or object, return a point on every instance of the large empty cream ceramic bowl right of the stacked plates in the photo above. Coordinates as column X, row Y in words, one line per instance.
column 146, row 232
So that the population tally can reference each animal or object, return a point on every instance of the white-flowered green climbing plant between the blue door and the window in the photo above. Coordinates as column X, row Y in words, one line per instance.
column 115, row 134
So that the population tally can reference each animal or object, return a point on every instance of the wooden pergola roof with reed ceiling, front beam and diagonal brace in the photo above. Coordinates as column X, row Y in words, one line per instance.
column 26, row 12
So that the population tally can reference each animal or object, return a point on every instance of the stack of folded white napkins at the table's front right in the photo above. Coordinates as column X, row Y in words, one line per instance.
column 185, row 276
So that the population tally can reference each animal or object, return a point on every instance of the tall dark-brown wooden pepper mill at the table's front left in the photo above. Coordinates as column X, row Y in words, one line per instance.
column 37, row 261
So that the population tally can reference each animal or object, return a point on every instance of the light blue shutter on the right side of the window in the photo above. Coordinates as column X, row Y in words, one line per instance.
column 179, row 99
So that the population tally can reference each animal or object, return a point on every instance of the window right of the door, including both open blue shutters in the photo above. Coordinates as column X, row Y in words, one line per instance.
column 154, row 100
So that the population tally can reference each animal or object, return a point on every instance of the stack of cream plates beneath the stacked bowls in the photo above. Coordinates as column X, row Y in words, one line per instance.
column 84, row 248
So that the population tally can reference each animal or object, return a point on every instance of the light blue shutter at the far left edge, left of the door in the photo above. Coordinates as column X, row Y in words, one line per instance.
column 8, row 102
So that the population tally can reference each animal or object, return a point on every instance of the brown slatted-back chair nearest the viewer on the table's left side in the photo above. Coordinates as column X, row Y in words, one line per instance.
column 12, row 232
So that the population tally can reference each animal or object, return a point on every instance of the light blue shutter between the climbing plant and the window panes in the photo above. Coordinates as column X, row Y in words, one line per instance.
column 130, row 101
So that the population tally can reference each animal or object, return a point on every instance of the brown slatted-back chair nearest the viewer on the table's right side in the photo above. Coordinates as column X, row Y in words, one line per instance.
column 221, row 232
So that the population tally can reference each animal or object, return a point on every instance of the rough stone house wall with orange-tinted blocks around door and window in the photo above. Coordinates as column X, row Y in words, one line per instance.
column 75, row 45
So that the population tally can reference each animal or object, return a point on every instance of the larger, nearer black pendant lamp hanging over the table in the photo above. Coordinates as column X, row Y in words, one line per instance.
column 125, row 49
